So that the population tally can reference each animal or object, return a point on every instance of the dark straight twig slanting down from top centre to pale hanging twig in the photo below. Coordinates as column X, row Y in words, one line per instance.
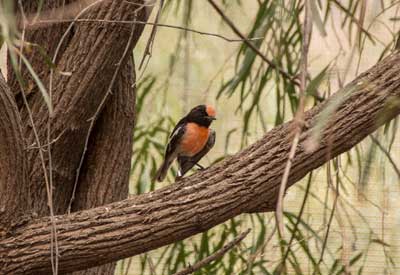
column 250, row 45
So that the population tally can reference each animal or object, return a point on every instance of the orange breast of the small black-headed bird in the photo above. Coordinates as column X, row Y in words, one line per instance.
column 194, row 139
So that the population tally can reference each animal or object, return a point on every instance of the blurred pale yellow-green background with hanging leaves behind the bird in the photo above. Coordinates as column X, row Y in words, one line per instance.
column 349, row 221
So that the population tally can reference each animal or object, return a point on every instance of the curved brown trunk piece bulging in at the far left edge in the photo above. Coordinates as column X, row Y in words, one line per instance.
column 12, row 161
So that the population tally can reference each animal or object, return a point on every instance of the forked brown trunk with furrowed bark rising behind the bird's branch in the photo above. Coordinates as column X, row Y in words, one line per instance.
column 93, row 53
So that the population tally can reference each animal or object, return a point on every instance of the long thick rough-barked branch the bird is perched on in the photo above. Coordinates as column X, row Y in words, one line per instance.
column 246, row 182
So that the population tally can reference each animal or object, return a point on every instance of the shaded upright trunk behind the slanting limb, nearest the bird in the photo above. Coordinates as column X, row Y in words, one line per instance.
column 105, row 175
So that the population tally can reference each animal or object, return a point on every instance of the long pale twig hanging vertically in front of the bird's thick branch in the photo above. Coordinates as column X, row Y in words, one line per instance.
column 307, row 28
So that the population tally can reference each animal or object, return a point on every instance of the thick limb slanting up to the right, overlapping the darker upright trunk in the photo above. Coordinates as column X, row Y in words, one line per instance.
column 91, row 57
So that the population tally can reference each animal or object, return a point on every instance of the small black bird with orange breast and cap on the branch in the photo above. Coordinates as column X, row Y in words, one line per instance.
column 190, row 140
